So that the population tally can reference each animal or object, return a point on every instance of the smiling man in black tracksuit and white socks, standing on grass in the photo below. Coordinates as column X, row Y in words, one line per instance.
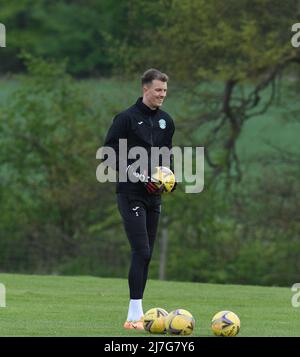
column 145, row 125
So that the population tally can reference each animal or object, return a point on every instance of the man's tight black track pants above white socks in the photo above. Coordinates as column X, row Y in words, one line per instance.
column 140, row 214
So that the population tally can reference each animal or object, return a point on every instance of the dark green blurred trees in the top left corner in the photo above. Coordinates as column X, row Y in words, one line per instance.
column 74, row 30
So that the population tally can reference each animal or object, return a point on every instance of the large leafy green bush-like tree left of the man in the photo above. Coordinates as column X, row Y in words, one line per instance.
column 49, row 134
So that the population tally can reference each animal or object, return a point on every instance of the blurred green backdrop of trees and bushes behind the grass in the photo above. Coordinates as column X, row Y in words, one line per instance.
column 70, row 66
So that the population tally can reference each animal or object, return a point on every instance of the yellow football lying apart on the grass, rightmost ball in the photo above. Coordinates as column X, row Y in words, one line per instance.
column 225, row 323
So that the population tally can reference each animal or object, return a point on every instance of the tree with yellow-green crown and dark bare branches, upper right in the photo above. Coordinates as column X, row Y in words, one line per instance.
column 242, row 46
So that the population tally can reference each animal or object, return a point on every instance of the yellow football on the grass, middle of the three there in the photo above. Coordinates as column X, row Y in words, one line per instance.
column 180, row 322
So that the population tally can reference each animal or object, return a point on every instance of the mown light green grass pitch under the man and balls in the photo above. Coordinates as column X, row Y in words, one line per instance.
column 39, row 305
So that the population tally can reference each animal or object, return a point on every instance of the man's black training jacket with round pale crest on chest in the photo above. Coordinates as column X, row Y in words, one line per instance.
column 141, row 126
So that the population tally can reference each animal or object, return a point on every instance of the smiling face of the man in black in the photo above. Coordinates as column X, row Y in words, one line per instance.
column 154, row 93
